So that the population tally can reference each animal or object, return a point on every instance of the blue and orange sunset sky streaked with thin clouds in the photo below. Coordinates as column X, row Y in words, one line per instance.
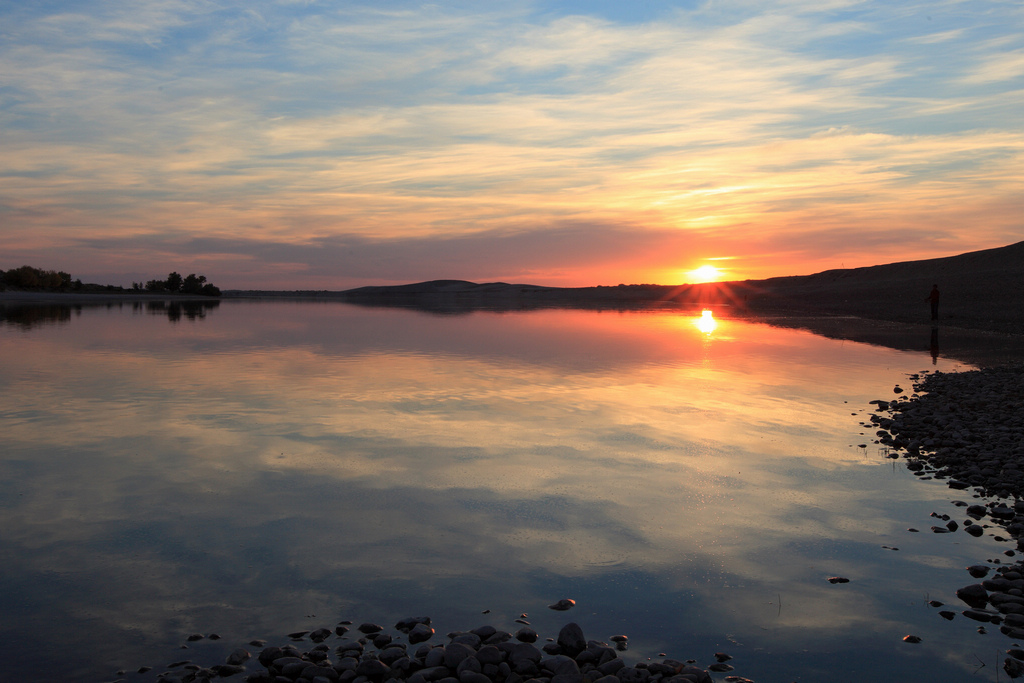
column 328, row 145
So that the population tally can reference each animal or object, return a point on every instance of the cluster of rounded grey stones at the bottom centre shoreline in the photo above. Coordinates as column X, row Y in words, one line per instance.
column 370, row 654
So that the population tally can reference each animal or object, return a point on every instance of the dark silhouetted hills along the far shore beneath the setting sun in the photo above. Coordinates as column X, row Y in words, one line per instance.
column 983, row 290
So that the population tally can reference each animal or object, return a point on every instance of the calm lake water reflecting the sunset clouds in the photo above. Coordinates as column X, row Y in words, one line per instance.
column 260, row 468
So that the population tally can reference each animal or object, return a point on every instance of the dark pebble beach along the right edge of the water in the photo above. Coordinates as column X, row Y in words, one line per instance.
column 968, row 430
